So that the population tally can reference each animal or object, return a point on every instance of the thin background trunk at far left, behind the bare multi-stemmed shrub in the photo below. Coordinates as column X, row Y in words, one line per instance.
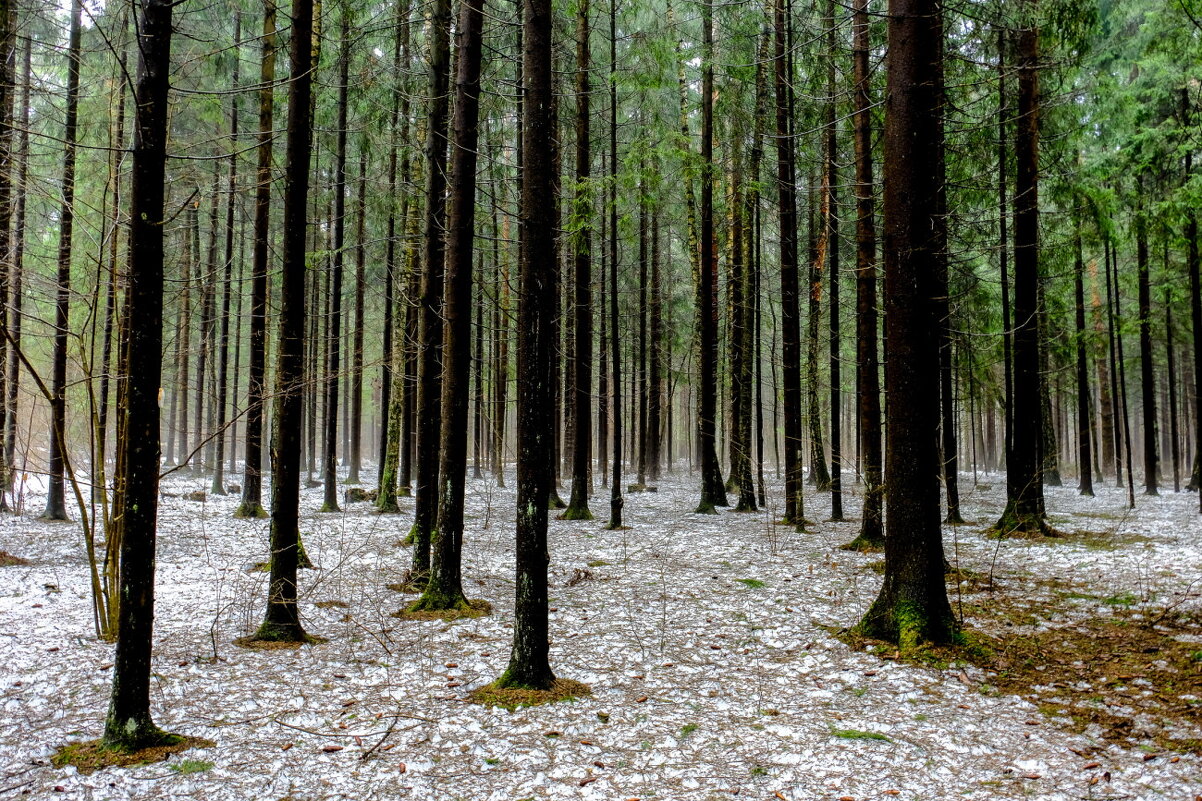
column 56, row 506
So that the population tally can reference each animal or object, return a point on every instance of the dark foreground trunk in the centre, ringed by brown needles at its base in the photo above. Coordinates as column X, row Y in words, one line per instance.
column 529, row 666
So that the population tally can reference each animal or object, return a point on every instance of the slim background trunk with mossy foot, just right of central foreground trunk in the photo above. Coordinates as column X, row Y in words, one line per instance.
column 582, row 301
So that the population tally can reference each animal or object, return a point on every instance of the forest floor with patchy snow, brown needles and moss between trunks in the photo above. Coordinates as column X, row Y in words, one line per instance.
column 710, row 643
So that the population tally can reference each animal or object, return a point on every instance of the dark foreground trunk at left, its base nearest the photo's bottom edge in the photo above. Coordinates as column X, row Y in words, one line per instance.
column 129, row 726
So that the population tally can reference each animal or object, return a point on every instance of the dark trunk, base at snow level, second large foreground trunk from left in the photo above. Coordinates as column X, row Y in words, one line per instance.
column 283, row 621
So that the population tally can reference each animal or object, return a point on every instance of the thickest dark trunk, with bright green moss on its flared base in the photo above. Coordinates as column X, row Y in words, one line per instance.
column 913, row 604
